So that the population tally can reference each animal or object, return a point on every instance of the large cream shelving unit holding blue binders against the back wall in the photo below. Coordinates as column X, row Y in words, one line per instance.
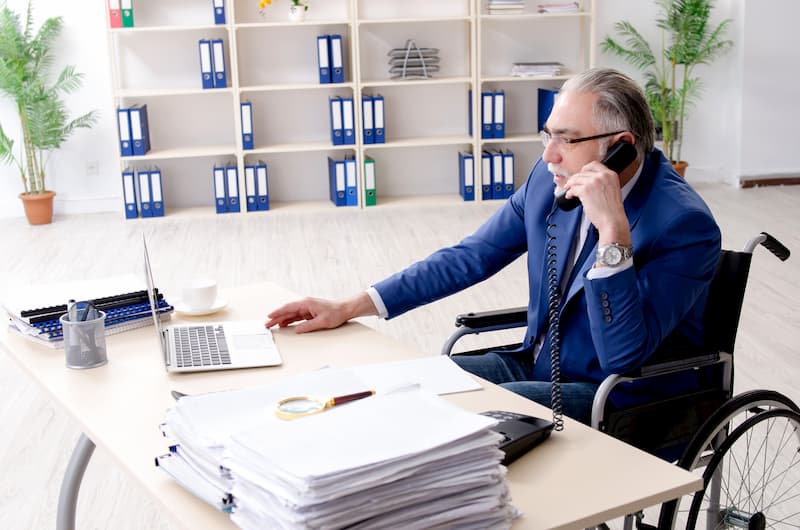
column 271, row 62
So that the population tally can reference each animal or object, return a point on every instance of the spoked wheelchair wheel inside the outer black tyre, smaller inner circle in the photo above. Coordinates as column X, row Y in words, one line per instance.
column 753, row 479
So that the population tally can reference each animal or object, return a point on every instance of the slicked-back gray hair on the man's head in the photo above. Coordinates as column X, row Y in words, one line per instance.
column 620, row 105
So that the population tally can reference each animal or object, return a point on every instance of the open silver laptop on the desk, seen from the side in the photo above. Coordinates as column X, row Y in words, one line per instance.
column 203, row 347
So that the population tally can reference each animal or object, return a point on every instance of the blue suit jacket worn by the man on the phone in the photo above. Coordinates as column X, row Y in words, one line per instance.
column 608, row 325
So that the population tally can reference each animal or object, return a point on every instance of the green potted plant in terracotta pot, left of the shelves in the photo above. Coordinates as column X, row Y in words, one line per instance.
column 25, row 60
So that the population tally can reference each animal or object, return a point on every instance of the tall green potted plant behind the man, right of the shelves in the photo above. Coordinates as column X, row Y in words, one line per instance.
column 671, row 84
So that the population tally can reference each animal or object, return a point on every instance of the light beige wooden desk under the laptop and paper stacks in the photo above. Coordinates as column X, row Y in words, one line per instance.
column 577, row 479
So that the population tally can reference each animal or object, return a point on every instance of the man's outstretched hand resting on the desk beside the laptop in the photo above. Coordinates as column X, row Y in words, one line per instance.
column 318, row 313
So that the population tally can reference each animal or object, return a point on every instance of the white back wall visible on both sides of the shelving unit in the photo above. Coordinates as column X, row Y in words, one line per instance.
column 743, row 126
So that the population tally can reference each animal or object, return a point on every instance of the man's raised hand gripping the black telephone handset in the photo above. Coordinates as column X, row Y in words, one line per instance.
column 599, row 190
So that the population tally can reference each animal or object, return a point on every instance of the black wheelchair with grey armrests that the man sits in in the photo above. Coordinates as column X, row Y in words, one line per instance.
column 747, row 446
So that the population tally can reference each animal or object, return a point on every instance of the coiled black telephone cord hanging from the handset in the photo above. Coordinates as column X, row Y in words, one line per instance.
column 553, row 332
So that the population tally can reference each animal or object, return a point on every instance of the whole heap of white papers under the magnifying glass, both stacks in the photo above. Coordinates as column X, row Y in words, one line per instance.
column 402, row 458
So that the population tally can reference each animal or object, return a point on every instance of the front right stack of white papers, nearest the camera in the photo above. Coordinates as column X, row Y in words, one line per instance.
column 407, row 459
